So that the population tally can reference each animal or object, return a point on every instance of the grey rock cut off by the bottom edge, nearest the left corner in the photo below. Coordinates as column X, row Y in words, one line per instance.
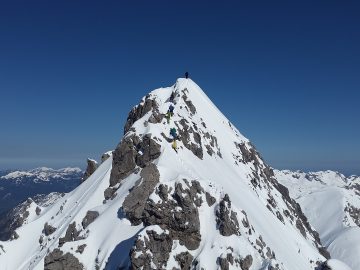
column 57, row 260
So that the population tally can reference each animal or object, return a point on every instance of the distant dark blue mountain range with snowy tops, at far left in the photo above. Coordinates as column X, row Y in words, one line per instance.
column 17, row 185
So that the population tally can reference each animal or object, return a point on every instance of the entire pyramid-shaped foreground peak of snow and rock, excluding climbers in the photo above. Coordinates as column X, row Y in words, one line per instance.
column 213, row 205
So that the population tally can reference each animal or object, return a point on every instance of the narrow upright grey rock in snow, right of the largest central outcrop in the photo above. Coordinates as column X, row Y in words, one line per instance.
column 226, row 219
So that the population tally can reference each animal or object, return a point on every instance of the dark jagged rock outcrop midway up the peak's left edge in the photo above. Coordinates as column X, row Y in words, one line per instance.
column 130, row 153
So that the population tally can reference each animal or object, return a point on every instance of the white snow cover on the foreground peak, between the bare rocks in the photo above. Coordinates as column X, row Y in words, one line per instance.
column 110, row 237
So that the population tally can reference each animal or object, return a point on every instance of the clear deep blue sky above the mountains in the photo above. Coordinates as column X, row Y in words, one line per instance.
column 286, row 74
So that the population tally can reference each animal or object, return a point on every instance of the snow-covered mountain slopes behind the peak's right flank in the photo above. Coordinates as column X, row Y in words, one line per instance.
column 331, row 202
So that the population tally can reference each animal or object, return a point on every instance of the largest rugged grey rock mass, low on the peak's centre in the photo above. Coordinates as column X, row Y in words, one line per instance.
column 177, row 214
